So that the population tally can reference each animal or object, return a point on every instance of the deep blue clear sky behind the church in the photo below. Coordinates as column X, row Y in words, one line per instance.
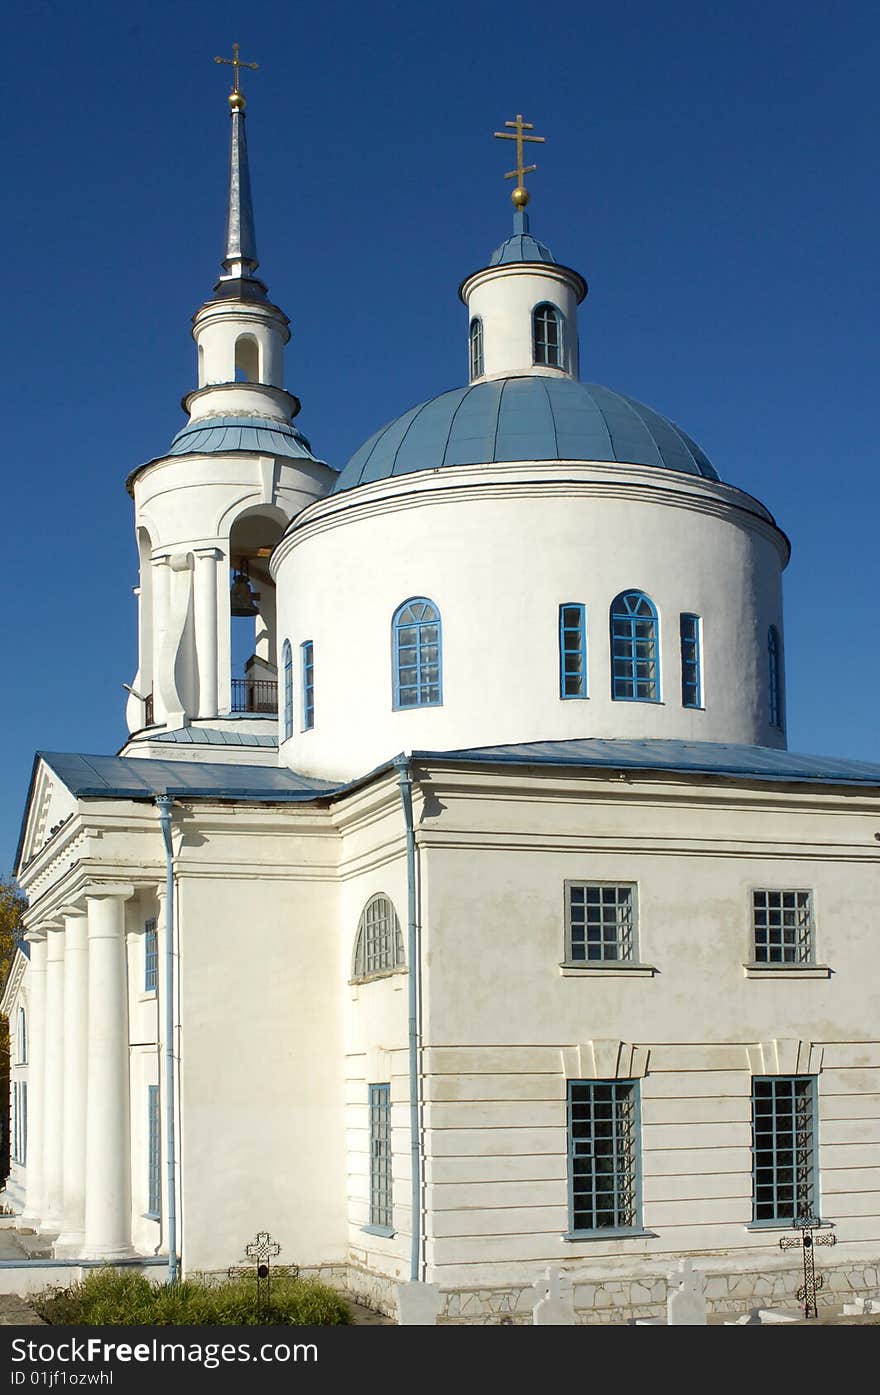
column 712, row 172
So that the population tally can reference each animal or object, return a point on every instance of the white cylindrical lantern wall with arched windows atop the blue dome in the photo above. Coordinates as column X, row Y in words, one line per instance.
column 504, row 299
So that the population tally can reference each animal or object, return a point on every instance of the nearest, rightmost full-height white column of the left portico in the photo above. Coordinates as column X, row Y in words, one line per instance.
column 108, row 1170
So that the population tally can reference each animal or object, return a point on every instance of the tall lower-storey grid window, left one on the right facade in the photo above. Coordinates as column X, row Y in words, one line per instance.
column 603, row 1128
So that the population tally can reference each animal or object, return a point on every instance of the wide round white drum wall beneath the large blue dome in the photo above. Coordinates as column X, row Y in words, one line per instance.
column 499, row 550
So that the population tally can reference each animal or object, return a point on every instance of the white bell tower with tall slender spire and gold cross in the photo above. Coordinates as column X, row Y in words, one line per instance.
column 210, row 513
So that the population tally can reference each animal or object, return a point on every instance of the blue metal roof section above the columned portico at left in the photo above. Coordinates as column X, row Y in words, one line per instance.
column 128, row 778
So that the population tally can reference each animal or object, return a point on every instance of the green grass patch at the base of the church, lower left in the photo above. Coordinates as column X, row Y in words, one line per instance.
column 123, row 1298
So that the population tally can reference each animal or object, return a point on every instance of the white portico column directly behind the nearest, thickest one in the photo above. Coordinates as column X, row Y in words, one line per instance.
column 76, row 1060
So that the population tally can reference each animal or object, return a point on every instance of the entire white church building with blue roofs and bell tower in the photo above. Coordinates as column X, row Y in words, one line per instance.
column 485, row 923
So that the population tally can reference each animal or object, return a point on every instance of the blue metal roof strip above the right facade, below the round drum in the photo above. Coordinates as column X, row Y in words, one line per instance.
column 712, row 758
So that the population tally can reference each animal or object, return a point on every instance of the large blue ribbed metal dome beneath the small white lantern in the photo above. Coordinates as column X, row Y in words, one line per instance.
column 525, row 419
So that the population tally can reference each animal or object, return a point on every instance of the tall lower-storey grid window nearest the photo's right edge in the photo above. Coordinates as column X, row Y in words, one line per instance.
column 786, row 1182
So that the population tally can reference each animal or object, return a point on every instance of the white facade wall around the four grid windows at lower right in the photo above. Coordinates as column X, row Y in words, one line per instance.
column 496, row 1079
